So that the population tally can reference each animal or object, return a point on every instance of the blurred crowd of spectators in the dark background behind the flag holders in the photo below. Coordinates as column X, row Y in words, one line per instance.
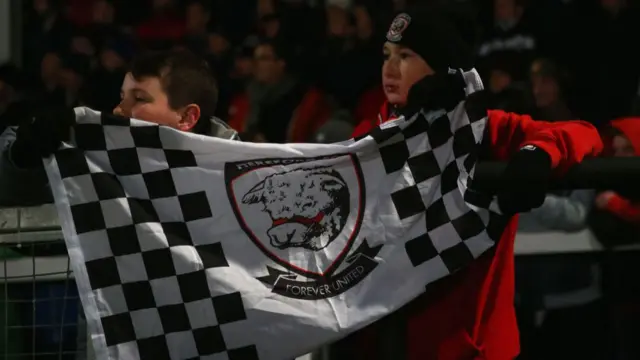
column 309, row 71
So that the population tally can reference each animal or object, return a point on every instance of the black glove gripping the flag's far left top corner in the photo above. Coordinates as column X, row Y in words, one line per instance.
column 41, row 135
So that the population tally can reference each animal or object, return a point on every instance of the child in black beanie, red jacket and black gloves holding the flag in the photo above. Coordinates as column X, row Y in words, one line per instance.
column 470, row 314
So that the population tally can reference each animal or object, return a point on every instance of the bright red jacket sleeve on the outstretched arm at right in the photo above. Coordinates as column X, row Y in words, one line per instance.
column 567, row 142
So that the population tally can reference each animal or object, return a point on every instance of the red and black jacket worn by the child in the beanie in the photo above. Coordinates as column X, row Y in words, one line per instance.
column 470, row 314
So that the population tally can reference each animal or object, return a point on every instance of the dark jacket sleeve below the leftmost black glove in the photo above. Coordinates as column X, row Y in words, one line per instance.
column 20, row 187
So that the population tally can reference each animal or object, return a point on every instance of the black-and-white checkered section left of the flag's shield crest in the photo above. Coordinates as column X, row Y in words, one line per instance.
column 156, row 305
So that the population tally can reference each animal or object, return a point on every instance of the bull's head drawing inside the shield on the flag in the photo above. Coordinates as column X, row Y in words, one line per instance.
column 308, row 207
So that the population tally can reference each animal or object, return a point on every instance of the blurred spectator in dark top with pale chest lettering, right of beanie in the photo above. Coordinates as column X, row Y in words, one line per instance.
column 510, row 33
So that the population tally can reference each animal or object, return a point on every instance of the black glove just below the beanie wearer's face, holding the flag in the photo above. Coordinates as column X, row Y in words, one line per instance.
column 442, row 90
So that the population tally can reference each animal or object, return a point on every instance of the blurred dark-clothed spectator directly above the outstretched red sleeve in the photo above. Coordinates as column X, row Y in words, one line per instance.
column 548, row 84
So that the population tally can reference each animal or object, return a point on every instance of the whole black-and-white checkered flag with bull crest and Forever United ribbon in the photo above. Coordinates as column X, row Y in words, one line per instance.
column 189, row 247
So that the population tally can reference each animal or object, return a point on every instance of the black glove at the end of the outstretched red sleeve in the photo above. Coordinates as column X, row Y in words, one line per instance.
column 525, row 182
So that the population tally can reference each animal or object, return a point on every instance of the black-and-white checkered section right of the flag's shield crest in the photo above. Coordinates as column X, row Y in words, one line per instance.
column 458, row 224
